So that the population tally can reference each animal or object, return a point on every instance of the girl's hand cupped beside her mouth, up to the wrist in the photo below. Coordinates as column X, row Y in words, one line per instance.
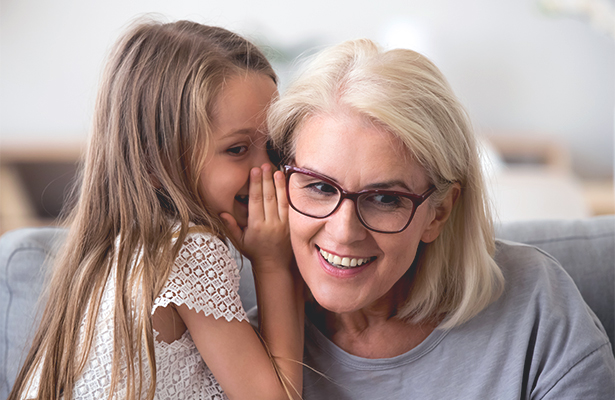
column 266, row 240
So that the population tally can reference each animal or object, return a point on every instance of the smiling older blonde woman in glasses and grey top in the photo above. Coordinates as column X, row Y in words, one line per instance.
column 411, row 295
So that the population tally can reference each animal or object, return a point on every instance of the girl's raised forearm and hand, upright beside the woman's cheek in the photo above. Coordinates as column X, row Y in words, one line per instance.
column 277, row 281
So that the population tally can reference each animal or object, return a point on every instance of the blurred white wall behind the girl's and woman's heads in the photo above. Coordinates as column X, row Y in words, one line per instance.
column 515, row 67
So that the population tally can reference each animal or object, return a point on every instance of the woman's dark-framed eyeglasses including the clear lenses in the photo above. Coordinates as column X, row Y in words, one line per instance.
column 383, row 211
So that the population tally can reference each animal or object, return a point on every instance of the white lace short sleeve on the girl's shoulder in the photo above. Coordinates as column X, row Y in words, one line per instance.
column 205, row 278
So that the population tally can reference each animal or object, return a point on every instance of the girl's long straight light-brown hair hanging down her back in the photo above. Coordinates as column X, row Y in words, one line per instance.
column 151, row 130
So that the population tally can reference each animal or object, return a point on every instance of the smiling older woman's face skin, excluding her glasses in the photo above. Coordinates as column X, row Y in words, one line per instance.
column 357, row 155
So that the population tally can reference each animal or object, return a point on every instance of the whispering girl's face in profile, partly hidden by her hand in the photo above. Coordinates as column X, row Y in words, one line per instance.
column 238, row 143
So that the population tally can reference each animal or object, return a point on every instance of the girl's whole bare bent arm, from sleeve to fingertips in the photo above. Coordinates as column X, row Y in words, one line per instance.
column 232, row 350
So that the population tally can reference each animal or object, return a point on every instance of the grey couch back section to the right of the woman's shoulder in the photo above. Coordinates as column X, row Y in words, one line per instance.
column 586, row 250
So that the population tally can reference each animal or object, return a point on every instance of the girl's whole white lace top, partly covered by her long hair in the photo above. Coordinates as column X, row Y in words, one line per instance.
column 205, row 278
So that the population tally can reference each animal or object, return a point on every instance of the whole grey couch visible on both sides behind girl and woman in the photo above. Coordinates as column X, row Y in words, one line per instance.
column 585, row 248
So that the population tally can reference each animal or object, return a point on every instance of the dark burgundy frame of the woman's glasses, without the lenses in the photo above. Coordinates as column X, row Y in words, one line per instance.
column 416, row 199
